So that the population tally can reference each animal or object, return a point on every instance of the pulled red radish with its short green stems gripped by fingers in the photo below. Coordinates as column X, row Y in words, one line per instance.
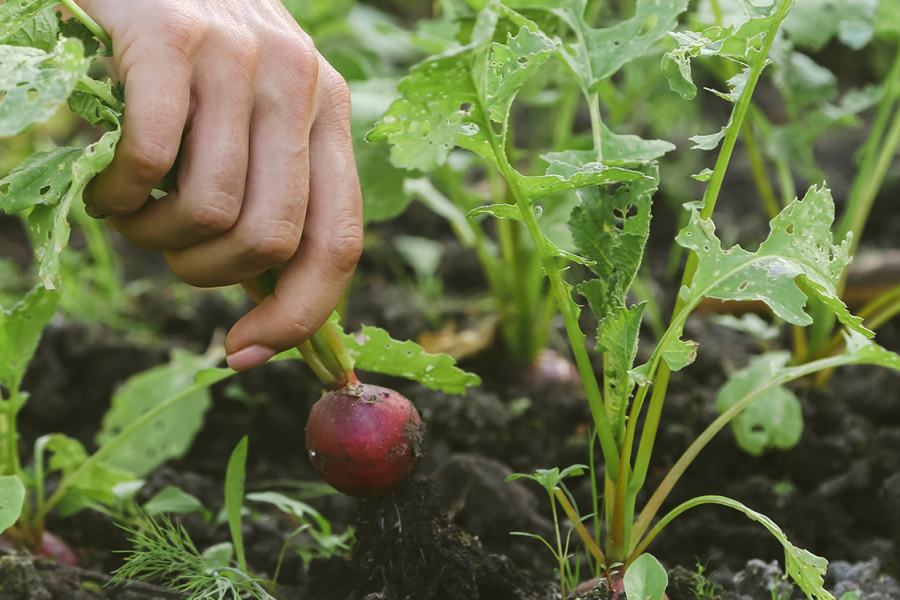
column 363, row 440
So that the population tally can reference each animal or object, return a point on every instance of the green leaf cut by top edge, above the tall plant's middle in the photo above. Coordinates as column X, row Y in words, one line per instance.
column 597, row 54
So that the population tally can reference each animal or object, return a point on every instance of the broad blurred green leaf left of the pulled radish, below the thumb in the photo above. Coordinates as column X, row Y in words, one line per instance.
column 170, row 434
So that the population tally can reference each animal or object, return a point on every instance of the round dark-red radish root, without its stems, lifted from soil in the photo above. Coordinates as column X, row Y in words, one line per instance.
column 364, row 440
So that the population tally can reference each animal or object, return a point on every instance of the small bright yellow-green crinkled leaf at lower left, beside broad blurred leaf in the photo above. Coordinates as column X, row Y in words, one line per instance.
column 95, row 483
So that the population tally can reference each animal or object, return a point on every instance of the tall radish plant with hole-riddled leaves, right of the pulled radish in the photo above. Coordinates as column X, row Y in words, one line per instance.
column 464, row 97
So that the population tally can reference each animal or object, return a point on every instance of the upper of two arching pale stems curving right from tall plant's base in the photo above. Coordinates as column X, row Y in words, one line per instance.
column 691, row 453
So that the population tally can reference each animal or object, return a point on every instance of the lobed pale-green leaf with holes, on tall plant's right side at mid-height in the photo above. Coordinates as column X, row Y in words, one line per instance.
column 798, row 252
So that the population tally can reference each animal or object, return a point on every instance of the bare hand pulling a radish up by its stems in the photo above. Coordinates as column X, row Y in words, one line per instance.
column 266, row 172
